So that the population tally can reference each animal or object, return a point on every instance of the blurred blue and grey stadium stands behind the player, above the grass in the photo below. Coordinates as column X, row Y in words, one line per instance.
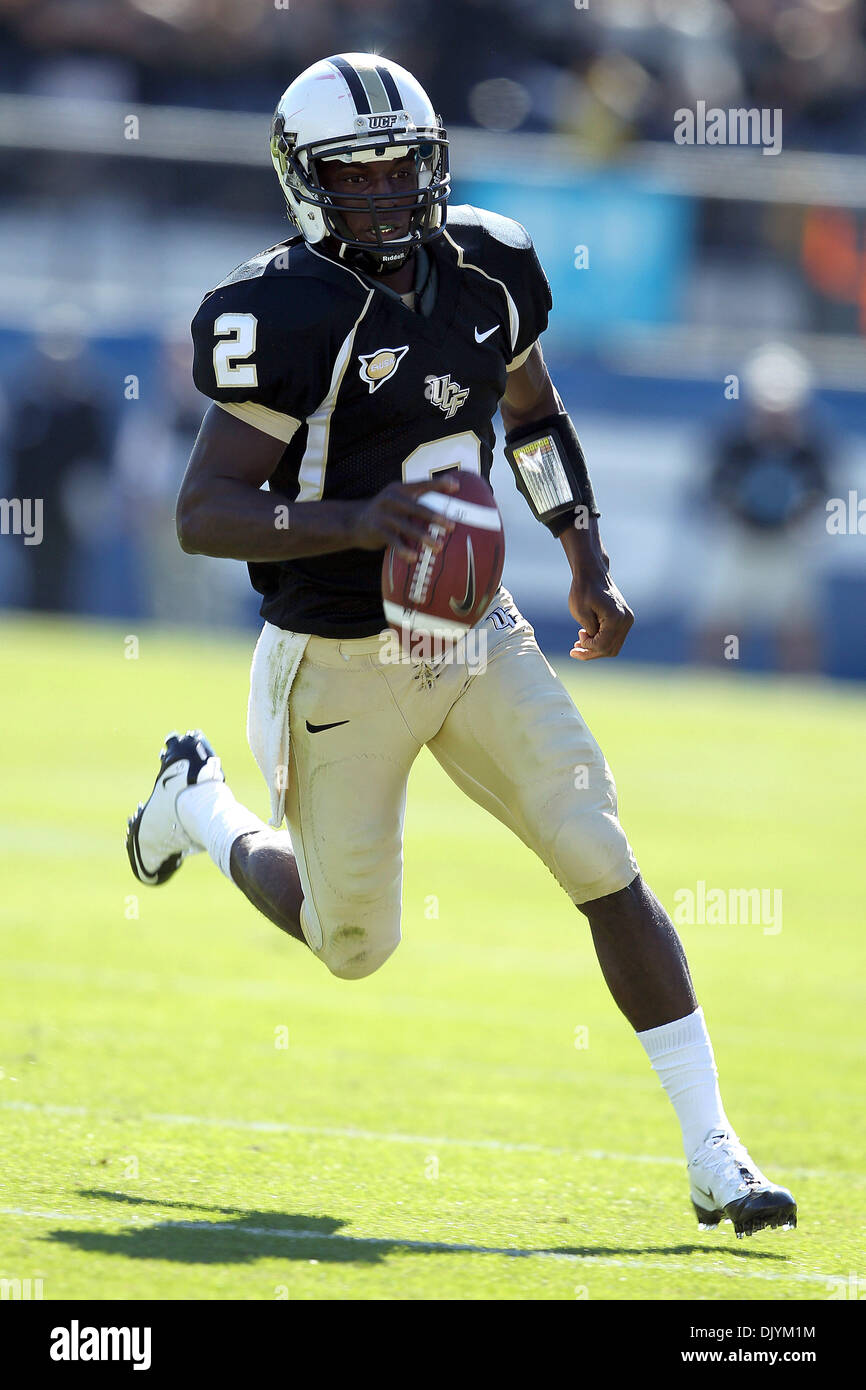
column 710, row 302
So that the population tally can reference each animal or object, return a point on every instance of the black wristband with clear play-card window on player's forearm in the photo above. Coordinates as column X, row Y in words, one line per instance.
column 551, row 472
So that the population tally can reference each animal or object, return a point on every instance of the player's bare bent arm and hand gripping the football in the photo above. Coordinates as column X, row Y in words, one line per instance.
column 223, row 509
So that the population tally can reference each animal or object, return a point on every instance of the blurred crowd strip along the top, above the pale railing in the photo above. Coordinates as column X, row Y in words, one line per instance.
column 608, row 72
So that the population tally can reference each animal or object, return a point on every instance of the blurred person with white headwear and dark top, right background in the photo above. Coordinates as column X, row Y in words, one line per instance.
column 768, row 487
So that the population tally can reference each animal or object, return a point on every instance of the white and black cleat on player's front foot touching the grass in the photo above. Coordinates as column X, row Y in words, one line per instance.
column 728, row 1186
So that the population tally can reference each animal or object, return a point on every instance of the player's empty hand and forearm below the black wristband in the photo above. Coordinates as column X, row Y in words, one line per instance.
column 594, row 600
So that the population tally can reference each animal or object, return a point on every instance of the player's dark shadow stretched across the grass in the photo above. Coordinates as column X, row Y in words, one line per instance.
column 262, row 1235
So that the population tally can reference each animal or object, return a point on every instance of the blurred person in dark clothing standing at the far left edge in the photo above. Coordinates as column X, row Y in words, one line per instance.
column 59, row 452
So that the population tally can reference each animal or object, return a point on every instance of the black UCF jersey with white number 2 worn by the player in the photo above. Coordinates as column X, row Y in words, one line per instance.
column 366, row 391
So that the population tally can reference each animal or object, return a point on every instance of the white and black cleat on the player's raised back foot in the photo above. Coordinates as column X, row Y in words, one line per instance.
column 156, row 840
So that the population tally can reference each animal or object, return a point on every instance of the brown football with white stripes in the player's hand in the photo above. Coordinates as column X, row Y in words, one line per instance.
column 447, row 593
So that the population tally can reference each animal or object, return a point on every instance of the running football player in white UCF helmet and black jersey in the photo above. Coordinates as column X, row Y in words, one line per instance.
column 352, row 368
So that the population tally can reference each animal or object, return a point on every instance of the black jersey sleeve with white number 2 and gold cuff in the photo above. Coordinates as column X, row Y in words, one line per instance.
column 262, row 351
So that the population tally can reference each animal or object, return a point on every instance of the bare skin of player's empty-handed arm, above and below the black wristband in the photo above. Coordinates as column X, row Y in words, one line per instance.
column 594, row 600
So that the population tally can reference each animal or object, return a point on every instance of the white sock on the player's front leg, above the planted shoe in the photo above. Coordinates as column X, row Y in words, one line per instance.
column 682, row 1056
